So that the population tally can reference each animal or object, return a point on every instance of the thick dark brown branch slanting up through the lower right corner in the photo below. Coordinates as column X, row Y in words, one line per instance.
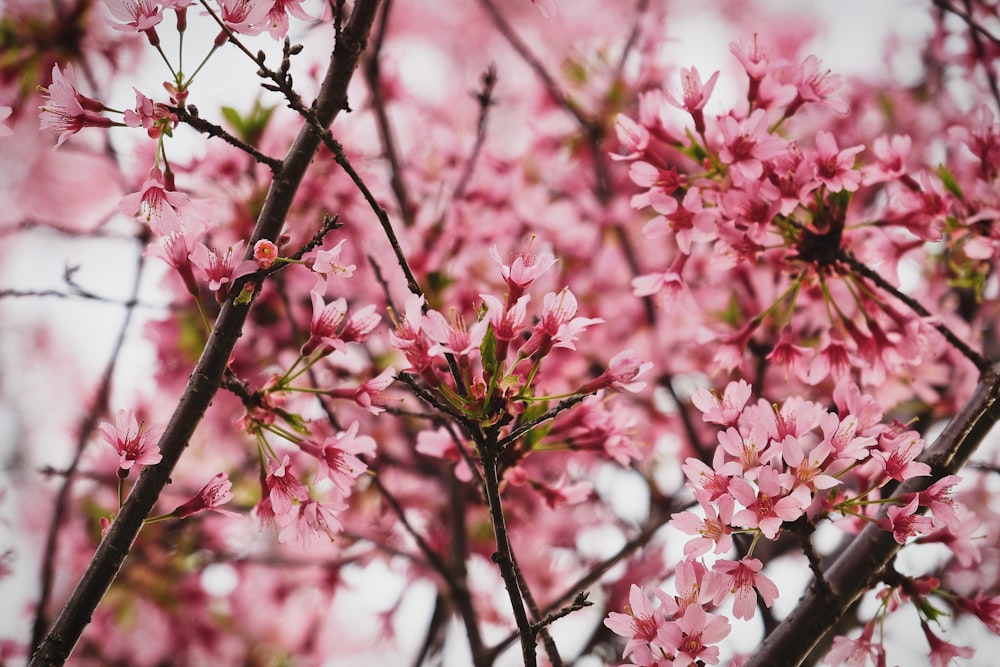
column 854, row 571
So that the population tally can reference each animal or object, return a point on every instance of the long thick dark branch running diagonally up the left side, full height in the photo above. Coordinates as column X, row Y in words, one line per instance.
column 207, row 375
